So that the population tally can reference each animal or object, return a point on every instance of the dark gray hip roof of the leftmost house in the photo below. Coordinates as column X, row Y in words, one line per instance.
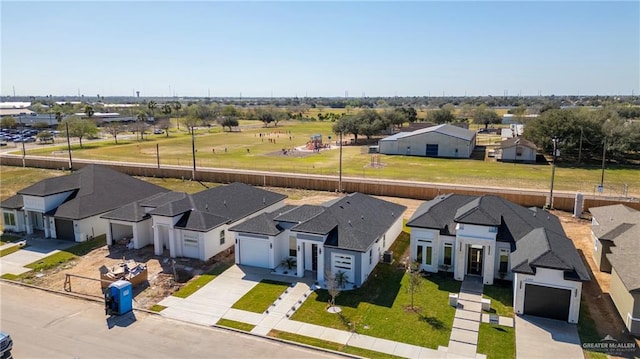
column 94, row 190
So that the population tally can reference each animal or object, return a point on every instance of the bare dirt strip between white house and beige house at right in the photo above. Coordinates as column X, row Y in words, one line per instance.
column 595, row 292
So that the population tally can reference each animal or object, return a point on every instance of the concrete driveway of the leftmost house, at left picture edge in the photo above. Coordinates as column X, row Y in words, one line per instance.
column 35, row 250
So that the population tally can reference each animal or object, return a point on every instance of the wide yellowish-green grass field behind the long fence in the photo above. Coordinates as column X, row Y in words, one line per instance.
column 249, row 150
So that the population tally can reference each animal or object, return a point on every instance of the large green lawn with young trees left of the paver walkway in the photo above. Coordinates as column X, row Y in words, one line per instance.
column 381, row 307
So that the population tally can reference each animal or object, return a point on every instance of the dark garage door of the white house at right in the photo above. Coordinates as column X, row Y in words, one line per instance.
column 547, row 302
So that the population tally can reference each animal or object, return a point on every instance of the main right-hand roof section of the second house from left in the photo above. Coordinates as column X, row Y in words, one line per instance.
column 210, row 208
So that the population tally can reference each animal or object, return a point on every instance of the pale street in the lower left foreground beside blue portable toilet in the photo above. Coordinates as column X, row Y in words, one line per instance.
column 47, row 325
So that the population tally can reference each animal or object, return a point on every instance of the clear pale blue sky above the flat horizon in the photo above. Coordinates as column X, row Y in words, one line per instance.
column 320, row 48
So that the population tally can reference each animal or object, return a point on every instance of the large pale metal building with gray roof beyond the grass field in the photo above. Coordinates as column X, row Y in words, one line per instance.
column 435, row 141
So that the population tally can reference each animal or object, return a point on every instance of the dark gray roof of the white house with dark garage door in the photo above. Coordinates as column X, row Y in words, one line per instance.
column 535, row 234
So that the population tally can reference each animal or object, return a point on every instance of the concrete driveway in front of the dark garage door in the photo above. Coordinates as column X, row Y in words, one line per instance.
column 546, row 338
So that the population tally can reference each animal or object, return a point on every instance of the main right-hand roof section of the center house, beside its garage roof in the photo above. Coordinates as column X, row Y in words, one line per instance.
column 354, row 222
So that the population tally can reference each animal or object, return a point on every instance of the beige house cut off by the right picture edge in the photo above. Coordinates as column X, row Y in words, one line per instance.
column 616, row 248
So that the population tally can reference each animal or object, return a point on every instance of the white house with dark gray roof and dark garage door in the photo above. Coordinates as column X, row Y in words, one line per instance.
column 490, row 237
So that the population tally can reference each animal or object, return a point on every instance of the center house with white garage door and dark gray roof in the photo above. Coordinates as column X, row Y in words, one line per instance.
column 348, row 235
